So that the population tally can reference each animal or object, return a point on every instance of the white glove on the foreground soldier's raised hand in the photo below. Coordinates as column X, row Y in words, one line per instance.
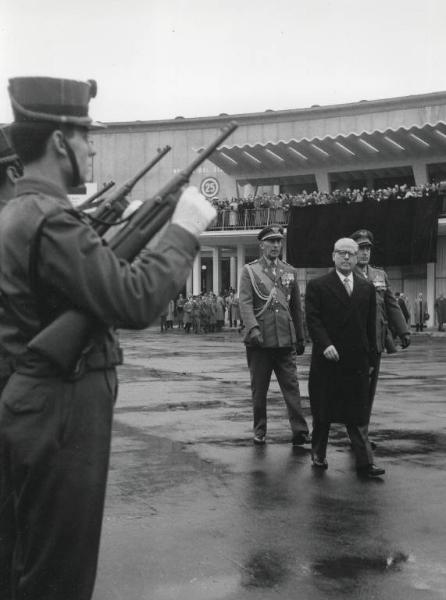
column 193, row 212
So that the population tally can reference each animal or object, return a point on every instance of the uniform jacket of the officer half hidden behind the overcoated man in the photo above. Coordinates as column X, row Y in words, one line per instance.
column 388, row 311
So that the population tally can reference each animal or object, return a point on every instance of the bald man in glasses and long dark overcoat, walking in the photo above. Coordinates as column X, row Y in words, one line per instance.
column 341, row 319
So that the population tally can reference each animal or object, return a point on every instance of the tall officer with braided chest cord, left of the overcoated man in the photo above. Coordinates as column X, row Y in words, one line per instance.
column 272, row 316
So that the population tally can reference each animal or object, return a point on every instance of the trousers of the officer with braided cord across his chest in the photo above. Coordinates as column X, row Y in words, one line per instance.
column 262, row 362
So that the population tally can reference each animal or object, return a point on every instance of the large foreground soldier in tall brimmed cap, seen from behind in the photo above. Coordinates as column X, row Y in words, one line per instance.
column 55, row 428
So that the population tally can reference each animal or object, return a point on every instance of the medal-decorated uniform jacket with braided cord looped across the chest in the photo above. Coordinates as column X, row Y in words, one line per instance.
column 271, row 301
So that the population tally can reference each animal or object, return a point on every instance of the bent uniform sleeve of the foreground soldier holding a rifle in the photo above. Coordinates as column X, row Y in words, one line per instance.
column 74, row 260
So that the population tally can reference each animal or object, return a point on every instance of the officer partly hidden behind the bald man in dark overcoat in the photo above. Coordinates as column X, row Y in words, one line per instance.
column 389, row 317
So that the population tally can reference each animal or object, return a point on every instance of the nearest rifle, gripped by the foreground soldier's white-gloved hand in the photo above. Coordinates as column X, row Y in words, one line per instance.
column 76, row 326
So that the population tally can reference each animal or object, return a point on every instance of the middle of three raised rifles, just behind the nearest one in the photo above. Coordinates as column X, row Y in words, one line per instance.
column 111, row 209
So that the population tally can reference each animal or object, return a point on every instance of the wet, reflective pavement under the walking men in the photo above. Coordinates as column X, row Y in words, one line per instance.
column 196, row 512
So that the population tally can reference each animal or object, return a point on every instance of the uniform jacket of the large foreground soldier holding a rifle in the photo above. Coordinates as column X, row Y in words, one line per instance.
column 74, row 268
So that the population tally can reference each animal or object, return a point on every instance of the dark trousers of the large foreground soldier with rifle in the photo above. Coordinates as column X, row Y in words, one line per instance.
column 55, row 446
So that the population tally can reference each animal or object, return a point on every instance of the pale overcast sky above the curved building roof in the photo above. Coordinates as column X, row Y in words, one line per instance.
column 158, row 59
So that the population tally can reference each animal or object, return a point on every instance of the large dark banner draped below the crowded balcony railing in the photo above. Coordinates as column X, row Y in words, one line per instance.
column 405, row 230
